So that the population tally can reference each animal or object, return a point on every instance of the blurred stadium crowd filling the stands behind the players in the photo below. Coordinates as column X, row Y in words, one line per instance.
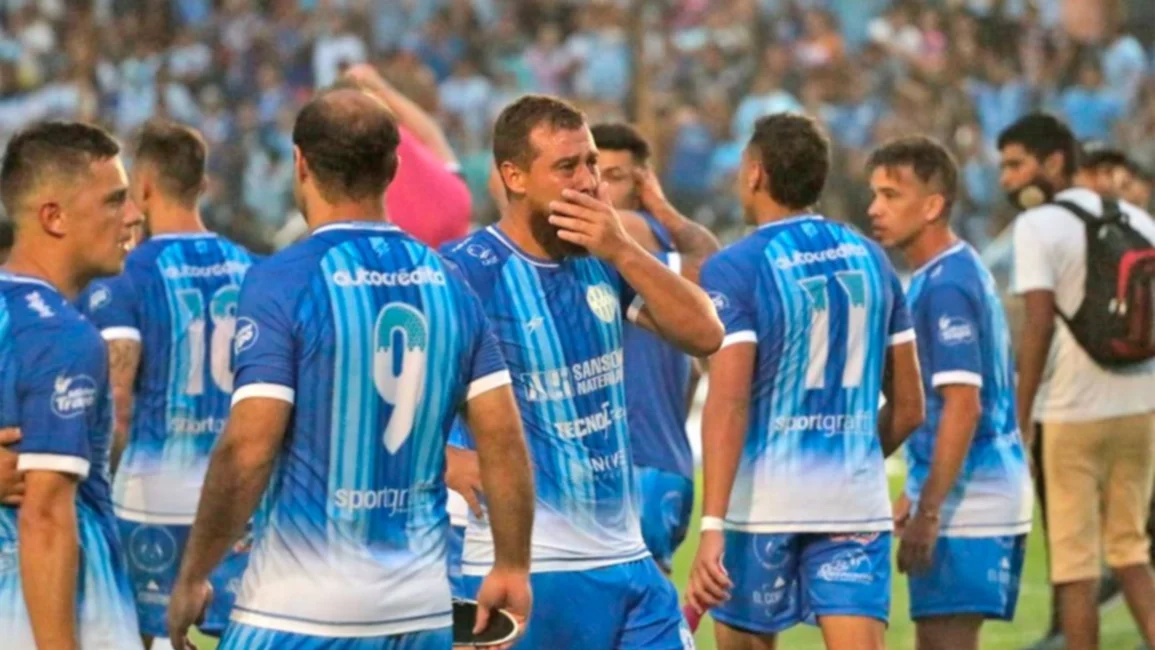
column 241, row 70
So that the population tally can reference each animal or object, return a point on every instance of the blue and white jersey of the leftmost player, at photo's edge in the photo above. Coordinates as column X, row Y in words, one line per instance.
column 55, row 388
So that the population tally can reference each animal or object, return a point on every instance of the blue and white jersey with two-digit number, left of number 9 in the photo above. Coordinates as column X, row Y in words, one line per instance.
column 178, row 298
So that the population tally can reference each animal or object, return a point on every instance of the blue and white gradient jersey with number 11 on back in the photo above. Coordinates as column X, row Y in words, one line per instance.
column 823, row 305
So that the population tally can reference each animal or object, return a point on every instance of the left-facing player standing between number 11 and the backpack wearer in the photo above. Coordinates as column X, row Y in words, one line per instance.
column 967, row 507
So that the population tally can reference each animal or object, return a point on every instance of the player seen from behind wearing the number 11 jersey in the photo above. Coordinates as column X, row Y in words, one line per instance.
column 794, row 443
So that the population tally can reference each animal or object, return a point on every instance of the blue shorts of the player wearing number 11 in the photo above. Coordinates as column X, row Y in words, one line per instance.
column 781, row 580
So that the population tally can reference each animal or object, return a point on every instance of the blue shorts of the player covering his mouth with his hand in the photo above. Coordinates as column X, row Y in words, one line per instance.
column 630, row 607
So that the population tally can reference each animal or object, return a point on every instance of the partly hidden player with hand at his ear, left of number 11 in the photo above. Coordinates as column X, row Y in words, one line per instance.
column 659, row 377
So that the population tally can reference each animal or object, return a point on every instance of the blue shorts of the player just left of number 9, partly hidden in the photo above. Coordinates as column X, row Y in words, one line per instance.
column 154, row 554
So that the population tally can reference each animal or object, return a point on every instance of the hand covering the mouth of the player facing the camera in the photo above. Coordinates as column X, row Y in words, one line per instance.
column 590, row 222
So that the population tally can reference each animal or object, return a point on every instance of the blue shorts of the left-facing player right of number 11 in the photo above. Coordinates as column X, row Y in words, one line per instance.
column 971, row 576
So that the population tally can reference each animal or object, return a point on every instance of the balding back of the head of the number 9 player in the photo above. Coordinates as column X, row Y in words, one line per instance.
column 349, row 143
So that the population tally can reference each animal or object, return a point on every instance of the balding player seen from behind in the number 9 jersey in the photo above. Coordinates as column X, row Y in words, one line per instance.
column 355, row 349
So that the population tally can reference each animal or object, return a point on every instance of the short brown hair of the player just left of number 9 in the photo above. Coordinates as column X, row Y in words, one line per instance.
column 178, row 154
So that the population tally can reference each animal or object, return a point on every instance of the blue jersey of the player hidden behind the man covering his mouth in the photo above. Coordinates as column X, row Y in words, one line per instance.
column 658, row 379
